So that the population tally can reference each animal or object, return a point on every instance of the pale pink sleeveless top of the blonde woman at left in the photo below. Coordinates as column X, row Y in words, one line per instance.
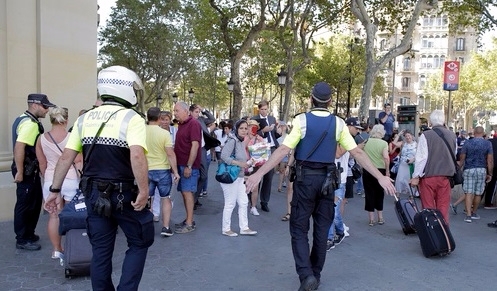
column 52, row 154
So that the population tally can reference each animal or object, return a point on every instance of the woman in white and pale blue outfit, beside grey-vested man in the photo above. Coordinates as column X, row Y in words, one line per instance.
column 407, row 154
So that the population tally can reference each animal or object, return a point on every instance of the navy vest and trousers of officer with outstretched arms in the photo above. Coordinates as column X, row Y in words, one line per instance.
column 312, row 166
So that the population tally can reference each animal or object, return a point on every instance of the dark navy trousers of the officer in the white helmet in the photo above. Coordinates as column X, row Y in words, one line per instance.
column 138, row 227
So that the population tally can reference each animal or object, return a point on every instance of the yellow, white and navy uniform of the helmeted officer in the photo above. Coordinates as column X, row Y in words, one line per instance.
column 107, row 170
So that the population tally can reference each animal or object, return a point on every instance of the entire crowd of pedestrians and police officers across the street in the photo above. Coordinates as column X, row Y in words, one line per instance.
column 126, row 167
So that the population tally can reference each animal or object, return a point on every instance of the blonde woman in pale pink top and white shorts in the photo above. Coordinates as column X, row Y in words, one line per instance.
column 49, row 147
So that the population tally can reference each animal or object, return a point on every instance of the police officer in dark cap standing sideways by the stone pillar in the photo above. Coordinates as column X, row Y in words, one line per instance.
column 25, row 170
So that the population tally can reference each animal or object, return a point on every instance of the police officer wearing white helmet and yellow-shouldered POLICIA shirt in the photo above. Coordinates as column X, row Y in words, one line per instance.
column 112, row 138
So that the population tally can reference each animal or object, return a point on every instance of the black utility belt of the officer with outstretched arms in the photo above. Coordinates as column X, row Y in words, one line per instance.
column 330, row 184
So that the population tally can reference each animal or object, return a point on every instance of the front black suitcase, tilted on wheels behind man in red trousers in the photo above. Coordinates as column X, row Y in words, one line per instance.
column 434, row 234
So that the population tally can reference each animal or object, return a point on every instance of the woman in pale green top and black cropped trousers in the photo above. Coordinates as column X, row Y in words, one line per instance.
column 377, row 150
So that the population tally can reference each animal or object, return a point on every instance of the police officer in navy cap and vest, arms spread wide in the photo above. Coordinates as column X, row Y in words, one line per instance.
column 315, row 136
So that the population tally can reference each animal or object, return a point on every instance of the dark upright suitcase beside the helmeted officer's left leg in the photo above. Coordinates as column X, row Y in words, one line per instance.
column 77, row 253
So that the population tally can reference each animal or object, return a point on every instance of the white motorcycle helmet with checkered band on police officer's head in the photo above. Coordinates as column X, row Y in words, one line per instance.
column 119, row 84
